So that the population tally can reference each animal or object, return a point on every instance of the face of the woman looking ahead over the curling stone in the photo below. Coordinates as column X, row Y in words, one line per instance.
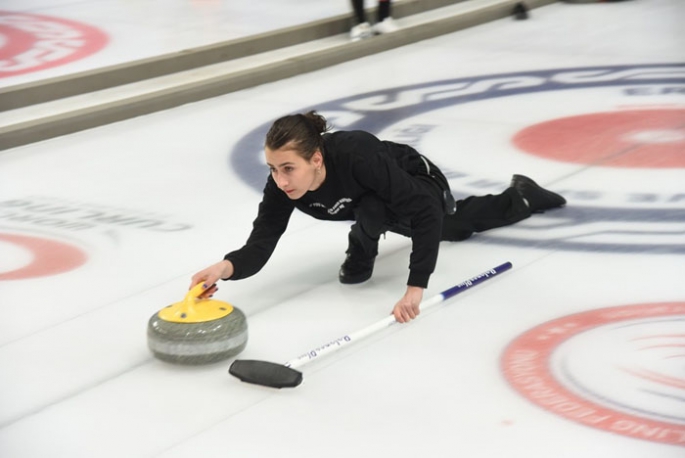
column 293, row 174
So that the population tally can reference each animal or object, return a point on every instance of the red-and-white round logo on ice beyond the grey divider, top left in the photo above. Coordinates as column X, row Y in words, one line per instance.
column 34, row 42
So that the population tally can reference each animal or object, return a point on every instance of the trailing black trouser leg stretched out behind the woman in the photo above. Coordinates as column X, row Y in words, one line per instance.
column 480, row 213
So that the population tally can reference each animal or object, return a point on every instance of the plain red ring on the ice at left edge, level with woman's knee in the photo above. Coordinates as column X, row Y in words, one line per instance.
column 50, row 257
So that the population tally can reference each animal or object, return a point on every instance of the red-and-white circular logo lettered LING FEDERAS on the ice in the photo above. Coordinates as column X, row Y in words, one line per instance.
column 626, row 338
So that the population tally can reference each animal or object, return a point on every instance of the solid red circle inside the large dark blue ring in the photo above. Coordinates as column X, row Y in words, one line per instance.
column 635, row 138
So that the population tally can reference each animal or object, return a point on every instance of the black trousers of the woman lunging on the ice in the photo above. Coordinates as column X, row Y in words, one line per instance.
column 474, row 214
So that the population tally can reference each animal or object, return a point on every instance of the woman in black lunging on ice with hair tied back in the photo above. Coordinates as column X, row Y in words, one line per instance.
column 381, row 186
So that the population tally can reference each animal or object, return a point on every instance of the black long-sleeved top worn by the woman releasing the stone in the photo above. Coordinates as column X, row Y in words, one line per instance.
column 356, row 163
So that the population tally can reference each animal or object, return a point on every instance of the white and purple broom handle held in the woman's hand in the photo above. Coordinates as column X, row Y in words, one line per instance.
column 347, row 339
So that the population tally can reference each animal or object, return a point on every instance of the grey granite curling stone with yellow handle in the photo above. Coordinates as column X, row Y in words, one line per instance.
column 197, row 331
